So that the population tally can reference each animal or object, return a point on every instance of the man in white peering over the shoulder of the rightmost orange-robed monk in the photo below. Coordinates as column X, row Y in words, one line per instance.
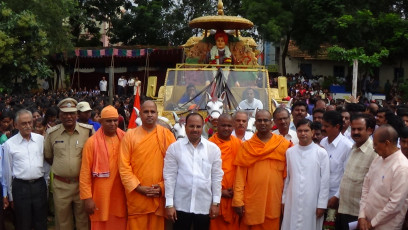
column 281, row 117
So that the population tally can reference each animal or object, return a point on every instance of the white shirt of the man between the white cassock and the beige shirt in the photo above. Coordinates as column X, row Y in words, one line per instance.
column 338, row 152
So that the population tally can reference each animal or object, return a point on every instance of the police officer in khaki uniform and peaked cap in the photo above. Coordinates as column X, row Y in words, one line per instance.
column 63, row 151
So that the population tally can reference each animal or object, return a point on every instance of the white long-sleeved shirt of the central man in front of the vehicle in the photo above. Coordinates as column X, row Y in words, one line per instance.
column 192, row 176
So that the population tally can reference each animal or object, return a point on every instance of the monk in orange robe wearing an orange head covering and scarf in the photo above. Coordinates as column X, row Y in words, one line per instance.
column 99, row 182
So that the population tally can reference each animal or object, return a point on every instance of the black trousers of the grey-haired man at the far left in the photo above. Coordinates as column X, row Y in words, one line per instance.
column 30, row 204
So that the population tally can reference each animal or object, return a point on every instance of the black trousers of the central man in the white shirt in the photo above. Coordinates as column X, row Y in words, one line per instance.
column 185, row 220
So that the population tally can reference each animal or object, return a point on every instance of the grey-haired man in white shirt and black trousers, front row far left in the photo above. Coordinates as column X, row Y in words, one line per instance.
column 24, row 172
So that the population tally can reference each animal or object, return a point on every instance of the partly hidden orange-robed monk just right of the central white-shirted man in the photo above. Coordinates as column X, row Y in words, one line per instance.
column 229, row 145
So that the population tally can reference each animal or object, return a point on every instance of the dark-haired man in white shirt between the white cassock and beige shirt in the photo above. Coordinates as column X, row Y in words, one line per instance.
column 338, row 148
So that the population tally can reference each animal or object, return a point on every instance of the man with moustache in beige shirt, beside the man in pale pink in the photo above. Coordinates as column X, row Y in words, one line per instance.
column 361, row 156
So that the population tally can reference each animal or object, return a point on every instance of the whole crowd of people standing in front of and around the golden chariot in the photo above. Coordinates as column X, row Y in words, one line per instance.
column 317, row 165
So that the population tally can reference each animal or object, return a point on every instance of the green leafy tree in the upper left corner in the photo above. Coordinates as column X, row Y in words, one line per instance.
column 23, row 49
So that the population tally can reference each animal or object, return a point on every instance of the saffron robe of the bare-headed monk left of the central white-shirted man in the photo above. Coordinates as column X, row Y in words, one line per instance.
column 141, row 162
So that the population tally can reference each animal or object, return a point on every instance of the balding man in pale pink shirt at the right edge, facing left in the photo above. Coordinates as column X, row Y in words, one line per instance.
column 384, row 198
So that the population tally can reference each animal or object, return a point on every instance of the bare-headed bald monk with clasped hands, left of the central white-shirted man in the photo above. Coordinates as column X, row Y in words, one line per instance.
column 141, row 163
